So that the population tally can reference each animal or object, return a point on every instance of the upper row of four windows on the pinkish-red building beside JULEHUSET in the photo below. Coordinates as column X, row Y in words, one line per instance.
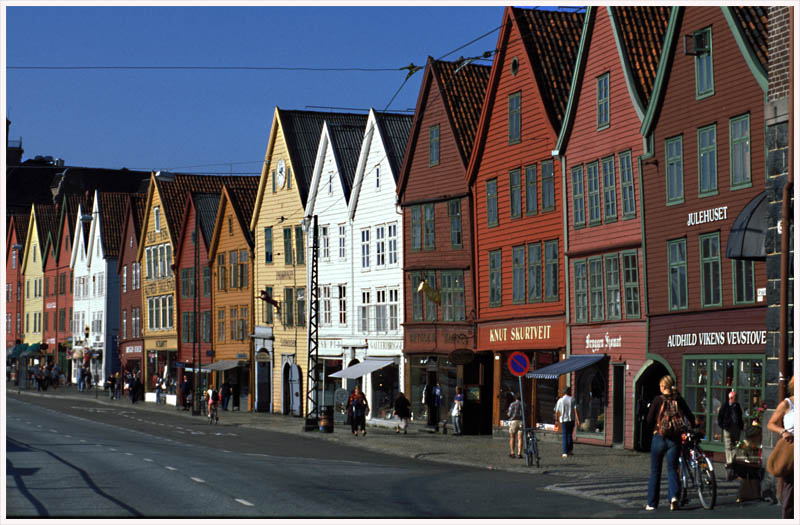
column 601, row 193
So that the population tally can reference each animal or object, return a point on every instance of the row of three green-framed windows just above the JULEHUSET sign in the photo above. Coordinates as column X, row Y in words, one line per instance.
column 739, row 151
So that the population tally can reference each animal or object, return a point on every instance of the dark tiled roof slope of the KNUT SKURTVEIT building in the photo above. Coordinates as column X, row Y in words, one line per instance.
column 551, row 39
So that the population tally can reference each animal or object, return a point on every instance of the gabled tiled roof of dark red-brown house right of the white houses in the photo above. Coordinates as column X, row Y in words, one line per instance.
column 462, row 97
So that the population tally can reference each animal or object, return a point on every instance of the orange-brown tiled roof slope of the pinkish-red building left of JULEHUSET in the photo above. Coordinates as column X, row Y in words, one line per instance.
column 642, row 31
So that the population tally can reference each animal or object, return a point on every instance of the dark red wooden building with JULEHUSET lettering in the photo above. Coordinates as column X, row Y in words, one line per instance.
column 702, row 176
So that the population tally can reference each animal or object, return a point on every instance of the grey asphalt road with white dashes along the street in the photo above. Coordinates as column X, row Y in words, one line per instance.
column 71, row 458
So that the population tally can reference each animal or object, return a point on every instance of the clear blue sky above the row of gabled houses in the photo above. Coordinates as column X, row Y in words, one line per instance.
column 219, row 120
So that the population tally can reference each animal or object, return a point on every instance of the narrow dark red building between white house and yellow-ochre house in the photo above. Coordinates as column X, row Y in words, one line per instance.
column 131, row 341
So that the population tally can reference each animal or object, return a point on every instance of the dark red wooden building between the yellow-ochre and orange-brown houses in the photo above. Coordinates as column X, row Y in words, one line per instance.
column 194, row 288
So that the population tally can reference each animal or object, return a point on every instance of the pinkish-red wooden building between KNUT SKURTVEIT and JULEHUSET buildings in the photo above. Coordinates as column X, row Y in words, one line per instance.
column 600, row 146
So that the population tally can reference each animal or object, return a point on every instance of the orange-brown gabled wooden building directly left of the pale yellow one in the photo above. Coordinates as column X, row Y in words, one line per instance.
column 230, row 258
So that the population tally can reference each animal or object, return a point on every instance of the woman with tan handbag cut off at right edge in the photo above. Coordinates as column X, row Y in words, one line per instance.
column 782, row 423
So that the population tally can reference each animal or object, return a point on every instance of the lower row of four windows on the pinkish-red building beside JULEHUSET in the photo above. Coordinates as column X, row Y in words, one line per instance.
column 599, row 291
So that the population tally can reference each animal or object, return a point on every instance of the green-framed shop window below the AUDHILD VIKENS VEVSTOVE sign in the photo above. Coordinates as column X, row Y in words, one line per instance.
column 707, row 382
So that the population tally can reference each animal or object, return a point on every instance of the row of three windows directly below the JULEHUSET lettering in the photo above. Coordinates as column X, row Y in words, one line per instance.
column 710, row 275
